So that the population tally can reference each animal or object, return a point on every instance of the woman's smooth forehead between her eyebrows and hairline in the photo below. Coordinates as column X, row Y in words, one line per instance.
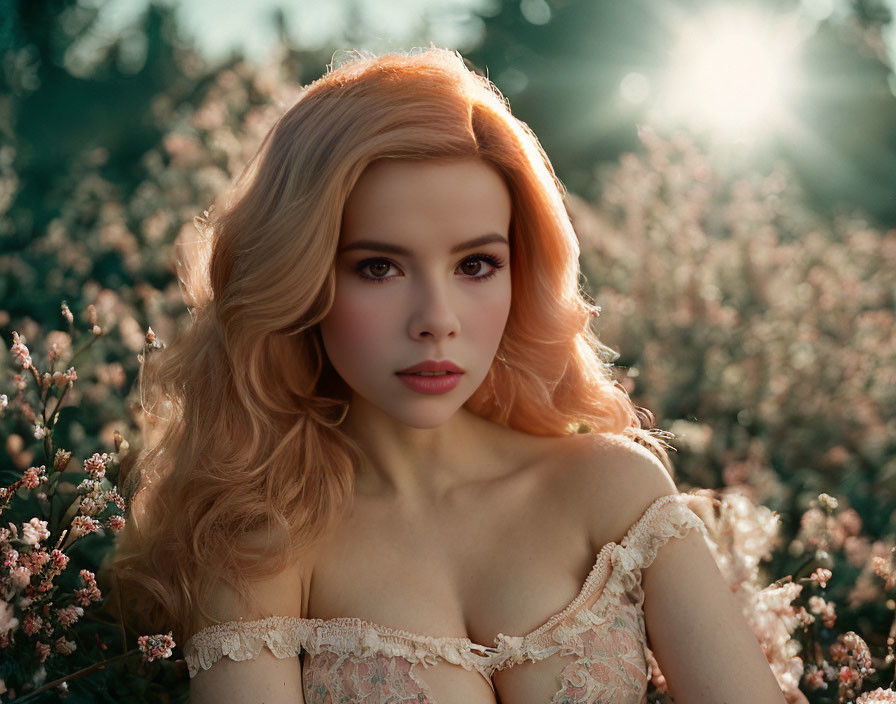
column 427, row 200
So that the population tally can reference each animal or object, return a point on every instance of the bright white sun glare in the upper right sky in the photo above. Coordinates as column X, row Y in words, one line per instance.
column 731, row 72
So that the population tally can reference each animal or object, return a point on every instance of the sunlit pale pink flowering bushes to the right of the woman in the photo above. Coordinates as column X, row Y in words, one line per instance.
column 764, row 338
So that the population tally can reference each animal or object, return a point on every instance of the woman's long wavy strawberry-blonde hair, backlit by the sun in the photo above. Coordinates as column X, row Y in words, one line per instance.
column 248, row 441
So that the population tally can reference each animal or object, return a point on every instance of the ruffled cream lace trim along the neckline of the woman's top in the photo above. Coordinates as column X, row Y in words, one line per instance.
column 287, row 636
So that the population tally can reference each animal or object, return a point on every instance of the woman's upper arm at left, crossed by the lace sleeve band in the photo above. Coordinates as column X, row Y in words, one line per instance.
column 264, row 679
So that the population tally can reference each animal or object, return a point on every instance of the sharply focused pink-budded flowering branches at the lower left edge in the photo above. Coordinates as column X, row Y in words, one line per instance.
column 42, row 604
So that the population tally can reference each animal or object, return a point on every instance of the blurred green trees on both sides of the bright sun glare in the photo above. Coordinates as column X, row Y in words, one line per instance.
column 560, row 62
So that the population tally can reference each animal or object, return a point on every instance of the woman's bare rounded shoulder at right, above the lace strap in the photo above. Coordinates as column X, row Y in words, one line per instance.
column 611, row 480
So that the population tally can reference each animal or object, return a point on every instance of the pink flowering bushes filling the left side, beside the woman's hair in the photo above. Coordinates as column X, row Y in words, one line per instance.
column 130, row 230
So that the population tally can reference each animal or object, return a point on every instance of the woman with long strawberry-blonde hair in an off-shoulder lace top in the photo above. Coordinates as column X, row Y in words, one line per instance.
column 395, row 465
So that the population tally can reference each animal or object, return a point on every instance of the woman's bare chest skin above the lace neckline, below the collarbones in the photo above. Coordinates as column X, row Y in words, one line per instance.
column 500, row 557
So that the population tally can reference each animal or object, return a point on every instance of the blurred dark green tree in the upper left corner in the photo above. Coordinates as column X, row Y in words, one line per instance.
column 66, row 102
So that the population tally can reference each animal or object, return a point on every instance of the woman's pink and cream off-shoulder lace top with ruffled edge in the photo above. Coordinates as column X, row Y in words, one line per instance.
column 595, row 650
